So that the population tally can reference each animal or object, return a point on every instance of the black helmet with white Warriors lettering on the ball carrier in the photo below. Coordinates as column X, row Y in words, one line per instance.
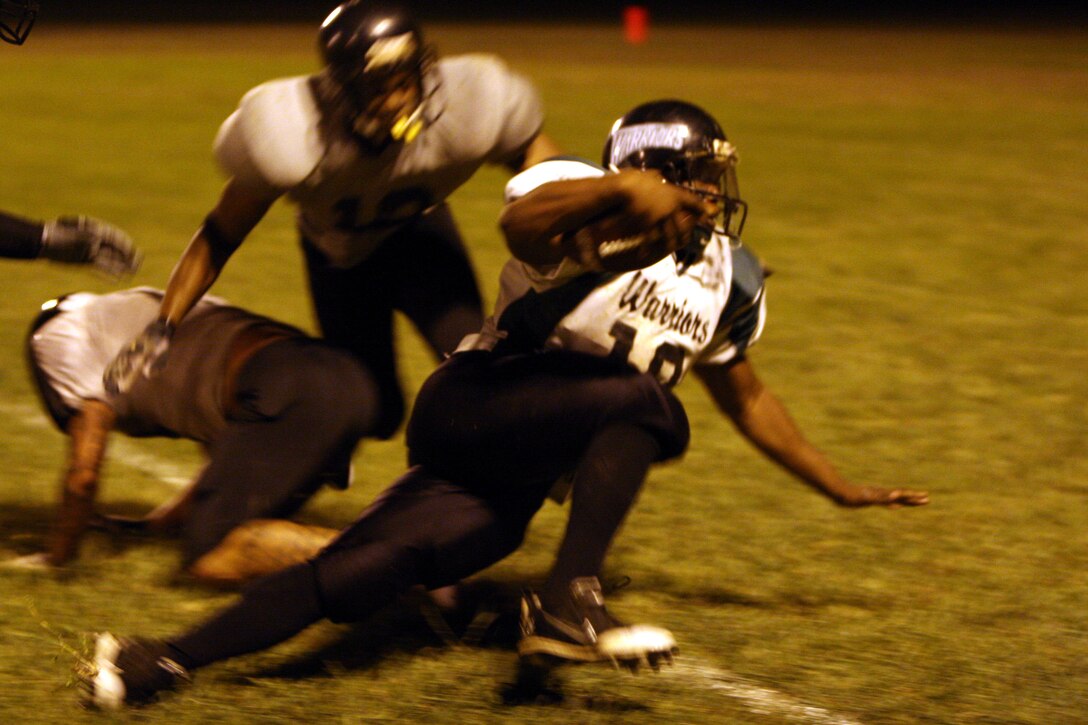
column 688, row 148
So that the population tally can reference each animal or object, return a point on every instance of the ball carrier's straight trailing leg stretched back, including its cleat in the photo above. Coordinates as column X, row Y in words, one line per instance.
column 423, row 531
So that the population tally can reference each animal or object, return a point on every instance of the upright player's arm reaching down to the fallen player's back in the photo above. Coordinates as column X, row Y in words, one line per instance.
column 224, row 231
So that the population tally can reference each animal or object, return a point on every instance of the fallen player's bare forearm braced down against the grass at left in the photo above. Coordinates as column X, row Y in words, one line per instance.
column 89, row 432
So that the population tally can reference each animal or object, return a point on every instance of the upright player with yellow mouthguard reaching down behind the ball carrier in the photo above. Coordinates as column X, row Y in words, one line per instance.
column 369, row 149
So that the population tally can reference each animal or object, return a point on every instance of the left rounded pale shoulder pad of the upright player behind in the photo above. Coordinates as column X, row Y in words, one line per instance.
column 274, row 139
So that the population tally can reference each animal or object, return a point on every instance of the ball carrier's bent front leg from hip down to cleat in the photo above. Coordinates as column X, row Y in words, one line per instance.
column 527, row 420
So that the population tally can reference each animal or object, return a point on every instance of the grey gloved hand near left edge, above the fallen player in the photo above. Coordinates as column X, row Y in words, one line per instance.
column 89, row 241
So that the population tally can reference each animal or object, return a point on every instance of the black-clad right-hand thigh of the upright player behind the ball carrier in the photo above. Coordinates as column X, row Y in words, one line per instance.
column 437, row 288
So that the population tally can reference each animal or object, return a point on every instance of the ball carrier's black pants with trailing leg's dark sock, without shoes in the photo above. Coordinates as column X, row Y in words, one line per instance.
column 499, row 431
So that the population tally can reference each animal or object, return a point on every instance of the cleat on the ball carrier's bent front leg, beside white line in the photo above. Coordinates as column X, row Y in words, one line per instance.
column 598, row 637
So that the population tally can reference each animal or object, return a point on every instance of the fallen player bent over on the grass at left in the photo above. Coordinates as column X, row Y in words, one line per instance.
column 275, row 410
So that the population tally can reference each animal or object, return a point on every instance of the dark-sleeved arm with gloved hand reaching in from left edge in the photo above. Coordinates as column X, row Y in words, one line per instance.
column 71, row 240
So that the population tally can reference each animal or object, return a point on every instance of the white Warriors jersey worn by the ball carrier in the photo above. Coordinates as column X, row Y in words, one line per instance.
column 661, row 320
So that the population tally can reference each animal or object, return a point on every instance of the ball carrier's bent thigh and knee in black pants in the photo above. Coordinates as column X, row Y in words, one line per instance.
column 502, row 422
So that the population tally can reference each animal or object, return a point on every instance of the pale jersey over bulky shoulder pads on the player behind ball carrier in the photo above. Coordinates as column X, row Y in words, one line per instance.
column 278, row 143
